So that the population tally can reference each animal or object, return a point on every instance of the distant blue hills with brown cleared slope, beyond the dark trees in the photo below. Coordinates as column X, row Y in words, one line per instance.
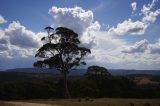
column 140, row 77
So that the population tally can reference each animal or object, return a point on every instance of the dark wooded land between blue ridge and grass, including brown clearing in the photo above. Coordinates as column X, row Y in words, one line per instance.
column 24, row 86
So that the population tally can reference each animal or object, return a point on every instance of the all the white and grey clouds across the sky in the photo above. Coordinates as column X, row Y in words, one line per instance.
column 17, row 42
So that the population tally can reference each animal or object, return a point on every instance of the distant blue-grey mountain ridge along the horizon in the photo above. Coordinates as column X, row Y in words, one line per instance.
column 116, row 72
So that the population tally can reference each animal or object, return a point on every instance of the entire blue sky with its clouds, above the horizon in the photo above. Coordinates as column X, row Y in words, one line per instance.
column 122, row 34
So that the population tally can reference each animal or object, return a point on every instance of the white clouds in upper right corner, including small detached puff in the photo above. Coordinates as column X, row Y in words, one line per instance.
column 137, row 27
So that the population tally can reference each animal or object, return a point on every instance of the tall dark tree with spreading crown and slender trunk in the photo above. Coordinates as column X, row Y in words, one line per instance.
column 61, row 51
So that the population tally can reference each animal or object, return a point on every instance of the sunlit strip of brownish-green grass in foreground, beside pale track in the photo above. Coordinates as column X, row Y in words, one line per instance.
column 97, row 102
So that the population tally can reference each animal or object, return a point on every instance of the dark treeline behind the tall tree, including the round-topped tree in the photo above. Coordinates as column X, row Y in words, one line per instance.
column 94, row 84
